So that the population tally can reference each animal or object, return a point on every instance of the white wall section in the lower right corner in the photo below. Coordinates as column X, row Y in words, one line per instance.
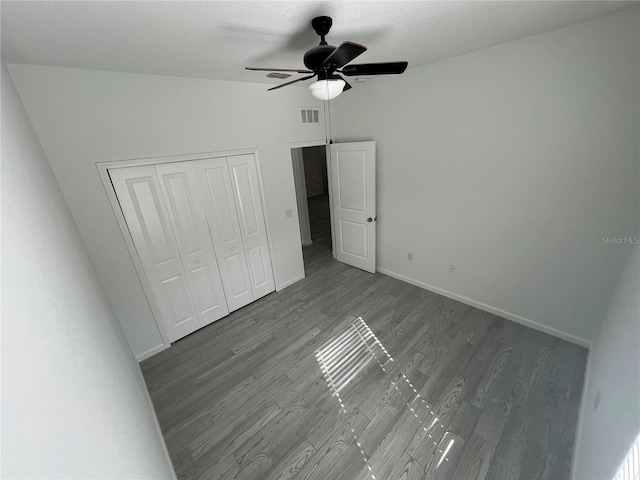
column 606, row 433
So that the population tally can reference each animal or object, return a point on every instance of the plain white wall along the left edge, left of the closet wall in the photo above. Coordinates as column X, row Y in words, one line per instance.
column 74, row 404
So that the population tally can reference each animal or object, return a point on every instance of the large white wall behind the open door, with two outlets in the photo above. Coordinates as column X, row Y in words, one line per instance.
column 512, row 163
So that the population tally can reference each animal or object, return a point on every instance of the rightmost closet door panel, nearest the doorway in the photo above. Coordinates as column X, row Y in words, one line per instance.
column 246, row 191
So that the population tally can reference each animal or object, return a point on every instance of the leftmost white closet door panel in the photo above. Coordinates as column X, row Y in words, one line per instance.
column 142, row 205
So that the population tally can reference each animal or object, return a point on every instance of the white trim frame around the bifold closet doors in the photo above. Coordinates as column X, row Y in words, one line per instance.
column 103, row 172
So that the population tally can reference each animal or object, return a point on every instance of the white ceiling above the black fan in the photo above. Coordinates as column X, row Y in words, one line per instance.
column 217, row 39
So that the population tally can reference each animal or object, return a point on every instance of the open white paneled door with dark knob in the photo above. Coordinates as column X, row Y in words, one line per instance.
column 353, row 178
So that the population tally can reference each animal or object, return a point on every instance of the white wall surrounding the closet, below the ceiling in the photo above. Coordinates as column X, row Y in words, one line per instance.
column 83, row 117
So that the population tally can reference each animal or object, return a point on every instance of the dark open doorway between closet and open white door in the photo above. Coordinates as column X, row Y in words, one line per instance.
column 312, row 193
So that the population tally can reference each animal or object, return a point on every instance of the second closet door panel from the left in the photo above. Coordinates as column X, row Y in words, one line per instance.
column 186, row 213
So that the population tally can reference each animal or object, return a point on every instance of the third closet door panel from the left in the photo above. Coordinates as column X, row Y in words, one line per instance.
column 225, row 231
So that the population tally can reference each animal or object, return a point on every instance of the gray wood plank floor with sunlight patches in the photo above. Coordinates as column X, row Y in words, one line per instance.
column 468, row 395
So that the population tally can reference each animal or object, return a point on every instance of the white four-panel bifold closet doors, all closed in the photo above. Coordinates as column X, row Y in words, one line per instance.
column 199, row 232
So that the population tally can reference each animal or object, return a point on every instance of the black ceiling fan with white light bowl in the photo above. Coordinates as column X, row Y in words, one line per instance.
column 328, row 62
